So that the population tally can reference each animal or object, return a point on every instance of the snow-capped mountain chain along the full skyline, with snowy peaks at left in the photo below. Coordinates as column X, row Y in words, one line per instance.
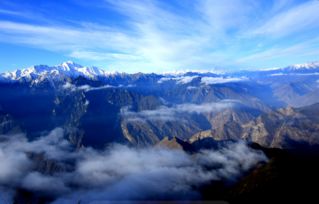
column 39, row 73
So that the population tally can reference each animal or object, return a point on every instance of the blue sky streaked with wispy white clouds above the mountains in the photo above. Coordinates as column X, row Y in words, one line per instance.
column 159, row 35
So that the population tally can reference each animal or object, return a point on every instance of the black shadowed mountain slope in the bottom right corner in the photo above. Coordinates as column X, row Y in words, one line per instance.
column 289, row 176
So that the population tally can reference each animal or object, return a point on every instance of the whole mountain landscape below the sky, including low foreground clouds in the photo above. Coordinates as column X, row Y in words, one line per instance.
column 73, row 134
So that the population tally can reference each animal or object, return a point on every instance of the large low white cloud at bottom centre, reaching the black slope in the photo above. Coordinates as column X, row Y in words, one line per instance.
column 156, row 172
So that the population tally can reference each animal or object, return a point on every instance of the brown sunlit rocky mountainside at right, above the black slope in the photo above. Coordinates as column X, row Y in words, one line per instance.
column 284, row 128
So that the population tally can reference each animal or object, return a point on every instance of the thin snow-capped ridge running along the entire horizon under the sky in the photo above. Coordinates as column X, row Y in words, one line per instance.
column 72, row 69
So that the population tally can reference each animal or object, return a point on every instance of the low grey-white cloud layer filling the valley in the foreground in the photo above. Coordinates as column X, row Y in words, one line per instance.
column 116, row 173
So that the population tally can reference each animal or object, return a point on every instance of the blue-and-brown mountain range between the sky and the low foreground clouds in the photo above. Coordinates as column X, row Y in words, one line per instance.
column 272, row 107
